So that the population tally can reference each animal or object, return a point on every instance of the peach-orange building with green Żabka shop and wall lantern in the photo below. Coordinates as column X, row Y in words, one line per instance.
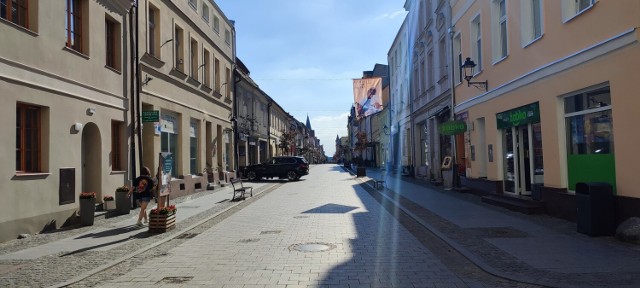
column 559, row 107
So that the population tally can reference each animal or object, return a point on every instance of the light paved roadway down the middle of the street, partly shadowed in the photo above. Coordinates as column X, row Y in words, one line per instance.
column 367, row 246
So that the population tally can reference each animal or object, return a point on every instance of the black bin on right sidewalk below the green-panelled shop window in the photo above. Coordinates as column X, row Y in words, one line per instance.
column 596, row 208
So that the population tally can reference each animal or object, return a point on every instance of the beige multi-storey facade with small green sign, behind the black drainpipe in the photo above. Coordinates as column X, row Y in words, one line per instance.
column 187, row 59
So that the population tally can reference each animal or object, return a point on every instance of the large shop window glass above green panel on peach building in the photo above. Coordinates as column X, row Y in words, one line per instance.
column 589, row 121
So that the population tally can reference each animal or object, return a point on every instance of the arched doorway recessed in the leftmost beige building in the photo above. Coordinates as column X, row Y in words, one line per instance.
column 91, row 160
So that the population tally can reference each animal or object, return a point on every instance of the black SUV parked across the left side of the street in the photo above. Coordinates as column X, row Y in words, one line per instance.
column 290, row 167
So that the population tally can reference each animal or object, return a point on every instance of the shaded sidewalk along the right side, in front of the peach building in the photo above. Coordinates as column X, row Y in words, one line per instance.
column 536, row 249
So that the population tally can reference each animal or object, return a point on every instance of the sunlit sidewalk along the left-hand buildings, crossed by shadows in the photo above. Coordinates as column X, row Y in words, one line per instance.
column 111, row 235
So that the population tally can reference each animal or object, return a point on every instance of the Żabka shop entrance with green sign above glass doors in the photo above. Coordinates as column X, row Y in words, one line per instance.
column 521, row 135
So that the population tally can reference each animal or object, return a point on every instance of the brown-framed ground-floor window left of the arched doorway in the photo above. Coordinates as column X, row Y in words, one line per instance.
column 28, row 138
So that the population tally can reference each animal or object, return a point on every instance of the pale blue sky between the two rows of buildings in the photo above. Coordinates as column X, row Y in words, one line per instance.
column 305, row 53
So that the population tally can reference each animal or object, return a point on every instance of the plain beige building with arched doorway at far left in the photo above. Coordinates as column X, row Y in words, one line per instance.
column 63, row 83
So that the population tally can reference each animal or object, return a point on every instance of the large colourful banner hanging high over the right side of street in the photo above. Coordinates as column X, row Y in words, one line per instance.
column 367, row 95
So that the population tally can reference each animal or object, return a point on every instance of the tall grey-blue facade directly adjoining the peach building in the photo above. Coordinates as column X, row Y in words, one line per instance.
column 430, row 86
